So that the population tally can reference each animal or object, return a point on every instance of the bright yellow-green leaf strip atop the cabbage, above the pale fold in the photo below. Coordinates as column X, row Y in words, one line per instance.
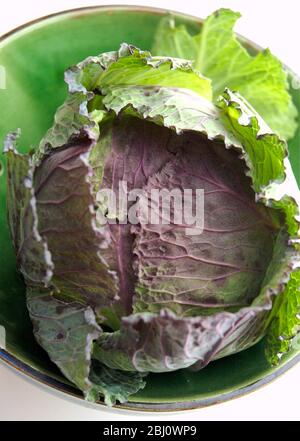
column 132, row 67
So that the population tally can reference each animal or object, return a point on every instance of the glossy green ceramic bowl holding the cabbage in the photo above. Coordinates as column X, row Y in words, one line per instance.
column 34, row 58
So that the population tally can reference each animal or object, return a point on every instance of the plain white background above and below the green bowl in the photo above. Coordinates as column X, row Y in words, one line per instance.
column 270, row 23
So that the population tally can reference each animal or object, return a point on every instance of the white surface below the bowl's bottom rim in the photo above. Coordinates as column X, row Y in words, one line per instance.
column 24, row 399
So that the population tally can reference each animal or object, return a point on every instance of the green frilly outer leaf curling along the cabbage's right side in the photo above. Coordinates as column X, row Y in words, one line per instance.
column 281, row 193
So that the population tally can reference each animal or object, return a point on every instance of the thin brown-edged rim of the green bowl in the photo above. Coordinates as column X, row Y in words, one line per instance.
column 65, row 389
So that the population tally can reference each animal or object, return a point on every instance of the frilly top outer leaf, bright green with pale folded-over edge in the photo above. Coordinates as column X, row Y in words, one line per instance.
column 178, row 95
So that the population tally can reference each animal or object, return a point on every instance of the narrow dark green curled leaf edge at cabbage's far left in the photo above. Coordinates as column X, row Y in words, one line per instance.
column 33, row 256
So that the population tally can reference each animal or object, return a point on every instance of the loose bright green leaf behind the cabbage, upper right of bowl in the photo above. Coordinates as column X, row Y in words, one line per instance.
column 218, row 54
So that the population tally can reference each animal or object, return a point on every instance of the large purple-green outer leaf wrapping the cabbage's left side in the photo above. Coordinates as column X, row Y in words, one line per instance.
column 63, row 318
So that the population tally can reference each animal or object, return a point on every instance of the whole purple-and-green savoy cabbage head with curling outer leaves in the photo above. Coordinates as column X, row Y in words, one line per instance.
column 111, row 302
